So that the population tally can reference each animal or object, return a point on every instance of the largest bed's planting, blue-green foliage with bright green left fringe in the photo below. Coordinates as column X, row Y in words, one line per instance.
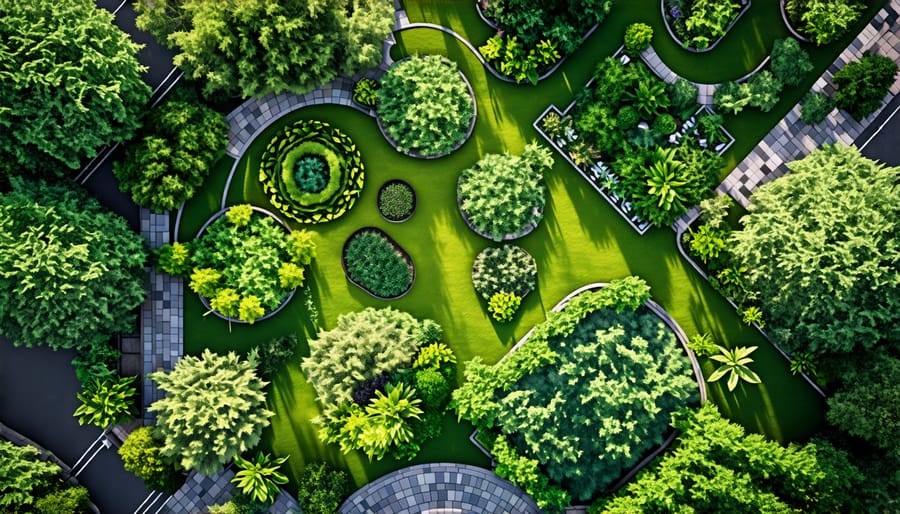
column 543, row 400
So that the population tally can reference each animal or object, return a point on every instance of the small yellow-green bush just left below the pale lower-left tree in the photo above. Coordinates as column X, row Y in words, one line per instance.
column 141, row 454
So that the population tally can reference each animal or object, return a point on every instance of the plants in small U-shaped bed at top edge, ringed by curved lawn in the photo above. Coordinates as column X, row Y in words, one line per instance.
column 699, row 24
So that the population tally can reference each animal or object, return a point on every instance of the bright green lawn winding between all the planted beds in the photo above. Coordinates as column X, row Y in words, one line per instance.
column 581, row 239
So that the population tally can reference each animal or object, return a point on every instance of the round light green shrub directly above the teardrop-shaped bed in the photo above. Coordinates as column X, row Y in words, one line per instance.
column 503, row 195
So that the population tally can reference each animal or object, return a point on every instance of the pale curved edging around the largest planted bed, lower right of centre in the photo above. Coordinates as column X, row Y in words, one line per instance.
column 670, row 322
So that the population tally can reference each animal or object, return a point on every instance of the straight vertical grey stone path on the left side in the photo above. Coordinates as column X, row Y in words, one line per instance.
column 162, row 314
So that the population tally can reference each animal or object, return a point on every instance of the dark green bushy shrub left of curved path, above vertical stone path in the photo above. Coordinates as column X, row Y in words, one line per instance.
column 173, row 154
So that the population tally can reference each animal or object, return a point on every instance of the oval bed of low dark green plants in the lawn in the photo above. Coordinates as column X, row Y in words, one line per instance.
column 376, row 264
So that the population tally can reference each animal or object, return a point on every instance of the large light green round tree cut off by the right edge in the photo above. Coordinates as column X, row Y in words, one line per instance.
column 820, row 246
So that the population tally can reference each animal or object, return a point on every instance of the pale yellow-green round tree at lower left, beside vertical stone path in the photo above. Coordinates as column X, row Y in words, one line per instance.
column 213, row 411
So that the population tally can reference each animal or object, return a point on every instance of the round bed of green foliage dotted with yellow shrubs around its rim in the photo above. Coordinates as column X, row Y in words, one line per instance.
column 246, row 264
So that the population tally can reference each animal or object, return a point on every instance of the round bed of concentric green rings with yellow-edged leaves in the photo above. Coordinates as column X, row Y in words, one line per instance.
column 312, row 172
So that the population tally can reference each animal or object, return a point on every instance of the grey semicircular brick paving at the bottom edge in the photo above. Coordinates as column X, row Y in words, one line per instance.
column 444, row 488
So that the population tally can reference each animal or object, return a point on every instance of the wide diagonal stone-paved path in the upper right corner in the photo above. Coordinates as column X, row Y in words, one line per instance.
column 792, row 139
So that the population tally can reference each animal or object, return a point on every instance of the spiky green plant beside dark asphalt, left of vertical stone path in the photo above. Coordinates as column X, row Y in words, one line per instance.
column 106, row 402
